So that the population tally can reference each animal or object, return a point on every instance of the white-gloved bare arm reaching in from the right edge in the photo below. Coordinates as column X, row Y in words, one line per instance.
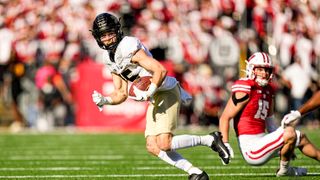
column 292, row 117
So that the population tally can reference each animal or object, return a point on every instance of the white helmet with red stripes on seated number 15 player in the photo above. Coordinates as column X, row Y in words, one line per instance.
column 259, row 59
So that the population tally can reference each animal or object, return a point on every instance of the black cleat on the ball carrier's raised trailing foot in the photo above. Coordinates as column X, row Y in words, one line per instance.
column 218, row 146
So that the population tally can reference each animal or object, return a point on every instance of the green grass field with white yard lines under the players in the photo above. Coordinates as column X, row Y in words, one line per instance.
column 63, row 155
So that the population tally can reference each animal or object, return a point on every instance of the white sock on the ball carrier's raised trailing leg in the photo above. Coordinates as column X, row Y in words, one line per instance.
column 186, row 141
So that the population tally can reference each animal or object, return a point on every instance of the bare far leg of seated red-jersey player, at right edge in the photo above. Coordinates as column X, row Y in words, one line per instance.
column 308, row 148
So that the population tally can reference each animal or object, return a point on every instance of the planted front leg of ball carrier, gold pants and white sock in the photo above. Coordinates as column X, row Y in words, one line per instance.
column 161, row 121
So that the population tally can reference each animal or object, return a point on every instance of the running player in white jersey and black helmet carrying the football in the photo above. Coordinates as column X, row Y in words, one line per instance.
column 127, row 59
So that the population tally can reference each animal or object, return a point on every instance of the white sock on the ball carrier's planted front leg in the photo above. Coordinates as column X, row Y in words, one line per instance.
column 175, row 159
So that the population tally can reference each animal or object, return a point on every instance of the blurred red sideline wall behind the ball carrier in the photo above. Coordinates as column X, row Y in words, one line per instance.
column 89, row 76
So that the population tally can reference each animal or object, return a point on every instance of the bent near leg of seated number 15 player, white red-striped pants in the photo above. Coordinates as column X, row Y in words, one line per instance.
column 259, row 149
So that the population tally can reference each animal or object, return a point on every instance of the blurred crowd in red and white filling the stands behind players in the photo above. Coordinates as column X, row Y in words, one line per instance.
column 203, row 43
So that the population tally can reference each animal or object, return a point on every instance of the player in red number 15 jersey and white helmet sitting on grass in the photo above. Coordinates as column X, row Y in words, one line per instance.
column 251, row 108
